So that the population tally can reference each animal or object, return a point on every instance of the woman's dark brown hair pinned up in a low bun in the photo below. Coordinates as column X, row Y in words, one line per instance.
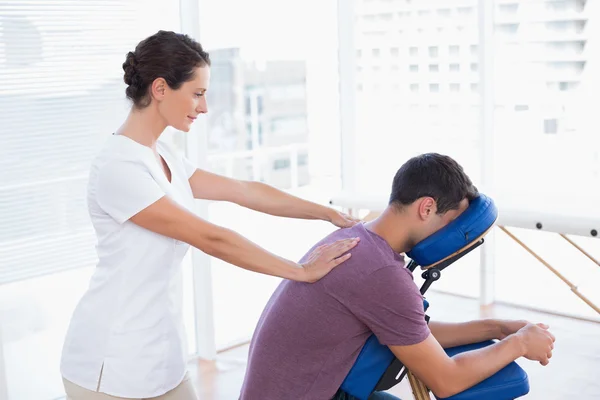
column 169, row 55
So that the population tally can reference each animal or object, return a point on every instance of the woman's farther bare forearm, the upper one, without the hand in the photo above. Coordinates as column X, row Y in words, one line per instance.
column 269, row 200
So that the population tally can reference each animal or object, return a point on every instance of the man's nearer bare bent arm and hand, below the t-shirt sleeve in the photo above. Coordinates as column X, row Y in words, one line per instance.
column 447, row 376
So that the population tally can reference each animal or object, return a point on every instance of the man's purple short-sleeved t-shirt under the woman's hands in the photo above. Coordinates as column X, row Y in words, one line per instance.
column 310, row 335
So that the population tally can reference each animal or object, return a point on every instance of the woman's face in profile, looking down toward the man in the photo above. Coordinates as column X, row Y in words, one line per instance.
column 181, row 107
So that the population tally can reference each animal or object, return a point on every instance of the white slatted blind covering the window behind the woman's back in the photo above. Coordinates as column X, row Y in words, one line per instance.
column 61, row 95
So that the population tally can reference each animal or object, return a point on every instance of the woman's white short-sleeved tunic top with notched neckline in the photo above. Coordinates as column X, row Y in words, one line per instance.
column 128, row 327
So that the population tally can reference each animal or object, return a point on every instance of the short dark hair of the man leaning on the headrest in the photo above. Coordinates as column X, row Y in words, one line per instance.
column 432, row 175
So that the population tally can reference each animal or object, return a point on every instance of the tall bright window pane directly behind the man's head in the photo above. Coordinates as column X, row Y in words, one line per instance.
column 416, row 91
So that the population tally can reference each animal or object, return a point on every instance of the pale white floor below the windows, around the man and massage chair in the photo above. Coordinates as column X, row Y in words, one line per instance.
column 574, row 371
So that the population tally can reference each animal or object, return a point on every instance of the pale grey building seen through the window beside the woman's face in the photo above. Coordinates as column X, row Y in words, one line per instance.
column 257, row 123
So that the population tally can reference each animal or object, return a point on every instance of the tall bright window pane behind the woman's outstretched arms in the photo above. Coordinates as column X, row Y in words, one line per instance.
column 272, row 118
